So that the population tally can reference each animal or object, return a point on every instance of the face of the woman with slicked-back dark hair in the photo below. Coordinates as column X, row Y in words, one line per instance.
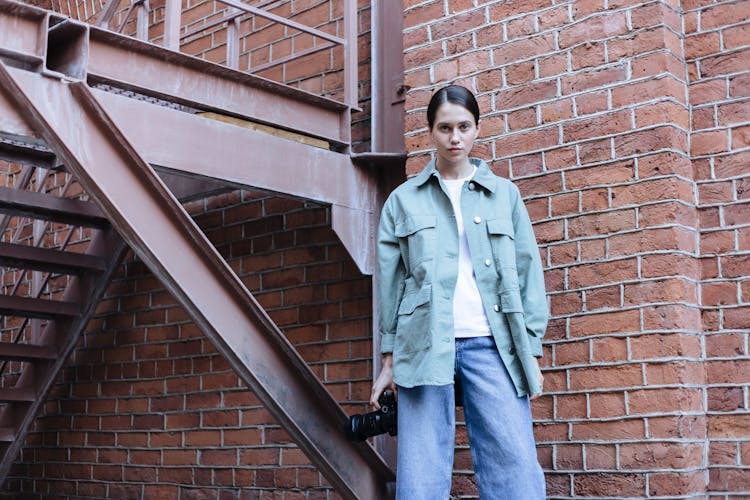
column 453, row 132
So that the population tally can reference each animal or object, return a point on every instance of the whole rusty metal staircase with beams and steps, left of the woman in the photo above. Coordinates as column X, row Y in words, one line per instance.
column 141, row 138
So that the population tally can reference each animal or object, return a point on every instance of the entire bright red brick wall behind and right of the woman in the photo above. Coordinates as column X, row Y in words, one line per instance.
column 625, row 125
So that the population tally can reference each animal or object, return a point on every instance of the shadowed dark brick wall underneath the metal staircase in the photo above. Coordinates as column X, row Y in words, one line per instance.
column 148, row 408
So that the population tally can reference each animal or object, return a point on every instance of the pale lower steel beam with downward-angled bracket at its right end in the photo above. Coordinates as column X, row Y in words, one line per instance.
column 212, row 148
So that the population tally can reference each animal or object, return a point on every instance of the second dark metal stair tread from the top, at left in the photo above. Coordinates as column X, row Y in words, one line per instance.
column 48, row 207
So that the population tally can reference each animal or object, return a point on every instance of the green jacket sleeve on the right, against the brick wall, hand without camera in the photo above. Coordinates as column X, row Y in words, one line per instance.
column 530, row 274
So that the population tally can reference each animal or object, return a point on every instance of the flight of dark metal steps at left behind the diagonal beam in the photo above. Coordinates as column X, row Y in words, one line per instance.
column 49, row 291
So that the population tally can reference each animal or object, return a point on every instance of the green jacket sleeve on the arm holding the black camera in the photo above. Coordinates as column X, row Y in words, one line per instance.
column 390, row 280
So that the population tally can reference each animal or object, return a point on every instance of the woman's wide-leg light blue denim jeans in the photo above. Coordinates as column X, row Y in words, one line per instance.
column 498, row 424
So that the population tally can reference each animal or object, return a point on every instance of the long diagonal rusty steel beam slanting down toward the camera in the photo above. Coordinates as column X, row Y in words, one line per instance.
column 164, row 236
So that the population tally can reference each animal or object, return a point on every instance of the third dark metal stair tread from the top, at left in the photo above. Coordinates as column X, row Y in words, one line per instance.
column 45, row 259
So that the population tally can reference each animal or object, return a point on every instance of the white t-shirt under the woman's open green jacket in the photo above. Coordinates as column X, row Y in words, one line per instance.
column 469, row 318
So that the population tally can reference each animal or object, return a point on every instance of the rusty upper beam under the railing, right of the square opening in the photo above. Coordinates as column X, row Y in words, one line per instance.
column 132, row 64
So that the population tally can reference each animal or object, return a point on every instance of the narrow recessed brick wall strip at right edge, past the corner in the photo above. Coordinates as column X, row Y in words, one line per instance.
column 717, row 50
